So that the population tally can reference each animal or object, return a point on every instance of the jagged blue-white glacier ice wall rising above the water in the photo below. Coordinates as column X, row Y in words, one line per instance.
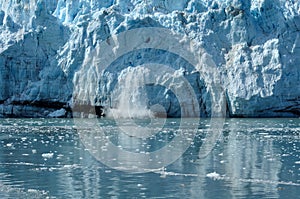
column 51, row 54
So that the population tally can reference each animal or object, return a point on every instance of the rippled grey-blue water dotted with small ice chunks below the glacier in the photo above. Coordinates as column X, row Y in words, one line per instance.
column 254, row 158
